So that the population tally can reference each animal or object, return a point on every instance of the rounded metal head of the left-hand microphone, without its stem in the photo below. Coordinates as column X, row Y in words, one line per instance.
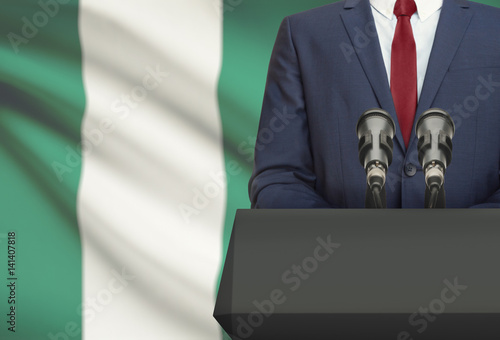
column 375, row 130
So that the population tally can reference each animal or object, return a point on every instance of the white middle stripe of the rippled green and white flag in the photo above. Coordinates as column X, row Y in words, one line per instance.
column 153, row 133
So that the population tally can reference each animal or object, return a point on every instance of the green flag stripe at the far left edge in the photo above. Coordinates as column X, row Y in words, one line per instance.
column 41, row 108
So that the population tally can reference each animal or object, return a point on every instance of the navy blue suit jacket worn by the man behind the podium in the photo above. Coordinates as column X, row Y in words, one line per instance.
column 327, row 69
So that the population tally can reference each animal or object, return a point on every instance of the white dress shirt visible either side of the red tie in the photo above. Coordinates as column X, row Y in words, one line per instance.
column 424, row 24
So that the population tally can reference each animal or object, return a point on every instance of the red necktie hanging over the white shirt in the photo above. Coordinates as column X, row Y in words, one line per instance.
column 404, row 68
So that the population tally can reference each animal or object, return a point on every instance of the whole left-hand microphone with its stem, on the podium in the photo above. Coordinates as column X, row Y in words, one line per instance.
column 375, row 130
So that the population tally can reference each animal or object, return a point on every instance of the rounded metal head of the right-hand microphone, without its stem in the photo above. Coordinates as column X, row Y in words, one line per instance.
column 435, row 129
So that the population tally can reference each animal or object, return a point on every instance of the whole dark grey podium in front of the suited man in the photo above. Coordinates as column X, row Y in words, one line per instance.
column 362, row 274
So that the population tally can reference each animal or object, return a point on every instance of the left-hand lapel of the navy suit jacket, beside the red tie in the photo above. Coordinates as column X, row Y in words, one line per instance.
column 356, row 16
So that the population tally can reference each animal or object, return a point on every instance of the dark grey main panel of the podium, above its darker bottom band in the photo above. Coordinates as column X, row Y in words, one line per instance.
column 364, row 261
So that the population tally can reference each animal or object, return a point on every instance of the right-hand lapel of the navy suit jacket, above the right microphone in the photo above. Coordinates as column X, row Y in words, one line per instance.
column 453, row 23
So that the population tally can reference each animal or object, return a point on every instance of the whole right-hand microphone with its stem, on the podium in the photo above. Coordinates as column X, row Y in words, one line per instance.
column 435, row 130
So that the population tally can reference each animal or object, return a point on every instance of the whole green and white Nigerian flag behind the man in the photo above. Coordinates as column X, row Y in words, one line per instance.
column 126, row 143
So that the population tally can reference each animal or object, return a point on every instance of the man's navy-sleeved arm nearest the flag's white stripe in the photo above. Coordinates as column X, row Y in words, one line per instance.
column 283, row 175
